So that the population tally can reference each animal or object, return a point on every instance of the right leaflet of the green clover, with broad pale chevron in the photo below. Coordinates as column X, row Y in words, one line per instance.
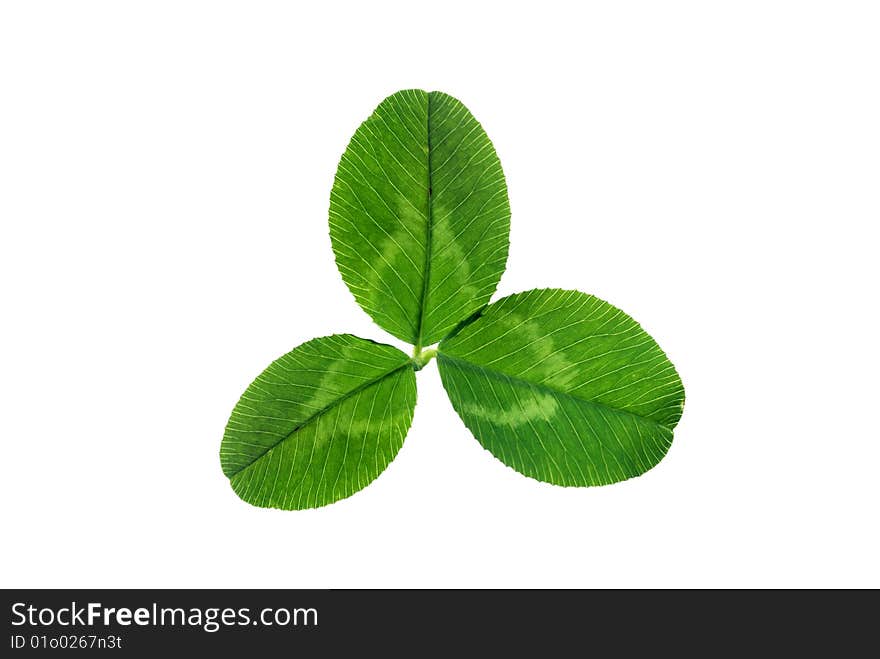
column 563, row 387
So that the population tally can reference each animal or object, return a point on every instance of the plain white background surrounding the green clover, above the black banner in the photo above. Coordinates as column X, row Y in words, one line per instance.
column 165, row 169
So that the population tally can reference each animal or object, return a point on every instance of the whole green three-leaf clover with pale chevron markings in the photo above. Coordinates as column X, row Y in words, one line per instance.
column 557, row 384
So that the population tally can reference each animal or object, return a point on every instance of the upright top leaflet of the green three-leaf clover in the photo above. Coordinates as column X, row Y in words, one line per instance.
column 419, row 216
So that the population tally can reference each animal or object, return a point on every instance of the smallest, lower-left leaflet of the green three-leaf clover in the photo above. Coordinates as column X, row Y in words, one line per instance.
column 320, row 423
